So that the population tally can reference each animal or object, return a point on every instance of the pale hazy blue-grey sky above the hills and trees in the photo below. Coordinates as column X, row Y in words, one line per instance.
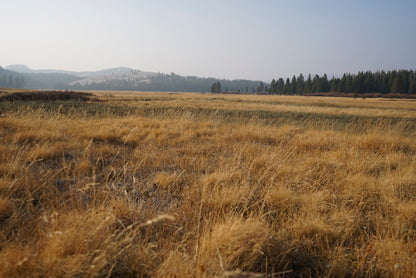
column 253, row 39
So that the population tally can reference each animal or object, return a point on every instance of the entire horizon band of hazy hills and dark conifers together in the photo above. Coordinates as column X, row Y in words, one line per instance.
column 125, row 79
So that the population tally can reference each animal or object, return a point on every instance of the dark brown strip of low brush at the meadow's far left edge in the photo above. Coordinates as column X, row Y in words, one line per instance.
column 49, row 96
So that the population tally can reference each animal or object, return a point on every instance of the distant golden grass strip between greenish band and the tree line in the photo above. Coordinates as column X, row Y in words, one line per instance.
column 322, row 105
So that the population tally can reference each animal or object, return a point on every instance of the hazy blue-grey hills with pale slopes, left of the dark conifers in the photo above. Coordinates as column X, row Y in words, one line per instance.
column 120, row 78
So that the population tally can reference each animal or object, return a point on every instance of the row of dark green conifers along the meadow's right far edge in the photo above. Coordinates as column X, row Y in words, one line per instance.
column 397, row 82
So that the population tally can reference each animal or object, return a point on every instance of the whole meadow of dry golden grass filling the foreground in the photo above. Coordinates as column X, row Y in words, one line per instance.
column 200, row 185
